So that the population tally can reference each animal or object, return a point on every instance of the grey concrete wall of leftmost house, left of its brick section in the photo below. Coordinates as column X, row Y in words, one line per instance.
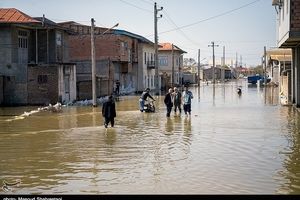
column 13, row 66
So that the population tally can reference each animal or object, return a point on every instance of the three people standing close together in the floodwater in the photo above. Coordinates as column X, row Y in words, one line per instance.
column 175, row 98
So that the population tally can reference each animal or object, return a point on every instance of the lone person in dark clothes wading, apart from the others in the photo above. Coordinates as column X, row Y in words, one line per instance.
column 109, row 112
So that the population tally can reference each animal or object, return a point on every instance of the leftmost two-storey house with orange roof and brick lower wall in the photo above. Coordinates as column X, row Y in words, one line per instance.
column 34, row 65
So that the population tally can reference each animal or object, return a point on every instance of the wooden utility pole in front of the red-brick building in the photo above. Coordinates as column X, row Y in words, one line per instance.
column 93, row 63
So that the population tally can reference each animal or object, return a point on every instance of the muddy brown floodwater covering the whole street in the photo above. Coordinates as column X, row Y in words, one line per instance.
column 231, row 144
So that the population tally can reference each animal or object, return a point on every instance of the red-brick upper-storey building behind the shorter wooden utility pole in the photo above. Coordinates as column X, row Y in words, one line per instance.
column 118, row 57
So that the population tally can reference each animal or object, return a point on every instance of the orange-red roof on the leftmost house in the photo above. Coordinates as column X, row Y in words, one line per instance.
column 12, row 15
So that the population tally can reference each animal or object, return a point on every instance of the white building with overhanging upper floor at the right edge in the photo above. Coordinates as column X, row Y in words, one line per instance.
column 288, row 36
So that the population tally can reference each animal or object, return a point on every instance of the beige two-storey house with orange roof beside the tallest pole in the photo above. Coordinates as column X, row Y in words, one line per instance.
column 170, row 64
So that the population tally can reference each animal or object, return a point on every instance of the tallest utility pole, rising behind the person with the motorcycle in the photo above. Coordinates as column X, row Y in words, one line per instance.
column 156, row 47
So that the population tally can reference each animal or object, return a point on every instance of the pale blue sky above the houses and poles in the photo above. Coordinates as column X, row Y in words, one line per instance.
column 242, row 27
